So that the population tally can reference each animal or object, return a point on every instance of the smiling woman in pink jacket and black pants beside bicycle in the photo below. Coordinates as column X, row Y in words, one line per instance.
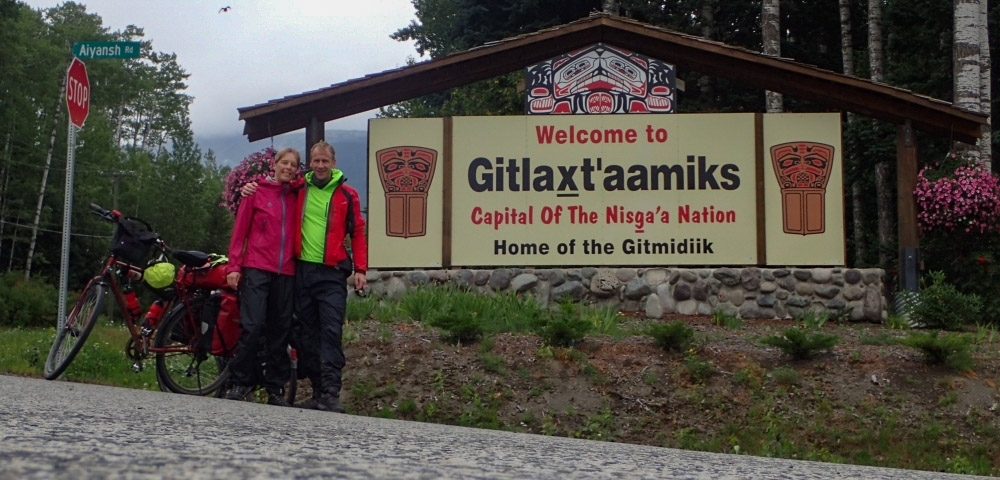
column 262, row 267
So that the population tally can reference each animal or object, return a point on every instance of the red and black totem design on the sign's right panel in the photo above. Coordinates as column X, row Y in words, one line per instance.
column 803, row 170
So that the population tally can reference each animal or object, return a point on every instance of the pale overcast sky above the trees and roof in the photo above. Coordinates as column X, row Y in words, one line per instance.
column 261, row 50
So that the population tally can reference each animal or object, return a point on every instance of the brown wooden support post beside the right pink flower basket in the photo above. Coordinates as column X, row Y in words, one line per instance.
column 906, row 207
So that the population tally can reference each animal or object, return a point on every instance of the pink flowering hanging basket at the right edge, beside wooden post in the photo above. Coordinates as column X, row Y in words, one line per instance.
column 968, row 199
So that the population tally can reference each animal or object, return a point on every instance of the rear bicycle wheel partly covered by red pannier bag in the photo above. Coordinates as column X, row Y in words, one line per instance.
column 185, row 370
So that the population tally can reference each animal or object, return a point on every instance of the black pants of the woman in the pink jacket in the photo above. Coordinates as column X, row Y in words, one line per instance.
column 266, row 301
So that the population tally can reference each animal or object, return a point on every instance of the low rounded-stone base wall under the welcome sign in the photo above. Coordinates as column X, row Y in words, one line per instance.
column 751, row 292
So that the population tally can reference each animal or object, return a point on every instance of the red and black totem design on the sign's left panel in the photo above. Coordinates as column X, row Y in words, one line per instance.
column 406, row 173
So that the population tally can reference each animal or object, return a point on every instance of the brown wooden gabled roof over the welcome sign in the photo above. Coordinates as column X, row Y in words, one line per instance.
column 687, row 52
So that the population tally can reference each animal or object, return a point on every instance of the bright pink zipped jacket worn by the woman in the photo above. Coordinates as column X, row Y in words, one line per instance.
column 264, row 231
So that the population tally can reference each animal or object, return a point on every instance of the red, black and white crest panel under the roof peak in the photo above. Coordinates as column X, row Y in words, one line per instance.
column 600, row 79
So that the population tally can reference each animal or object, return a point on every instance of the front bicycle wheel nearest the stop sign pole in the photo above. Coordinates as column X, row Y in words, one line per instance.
column 80, row 321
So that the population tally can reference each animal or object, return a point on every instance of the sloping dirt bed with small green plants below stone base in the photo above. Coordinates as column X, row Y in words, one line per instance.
column 865, row 398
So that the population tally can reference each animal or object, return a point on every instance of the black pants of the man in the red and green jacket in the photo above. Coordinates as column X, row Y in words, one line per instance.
column 320, row 303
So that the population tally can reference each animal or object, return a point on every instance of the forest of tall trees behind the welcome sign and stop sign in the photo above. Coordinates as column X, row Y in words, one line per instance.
column 137, row 152
